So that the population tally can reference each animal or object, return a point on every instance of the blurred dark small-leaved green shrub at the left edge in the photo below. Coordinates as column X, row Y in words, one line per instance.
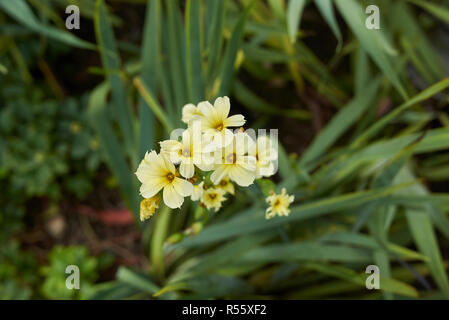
column 40, row 137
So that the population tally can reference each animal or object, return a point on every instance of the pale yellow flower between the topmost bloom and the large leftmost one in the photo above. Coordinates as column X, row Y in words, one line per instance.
column 188, row 152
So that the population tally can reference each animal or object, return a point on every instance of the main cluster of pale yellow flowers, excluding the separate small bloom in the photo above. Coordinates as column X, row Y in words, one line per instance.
column 206, row 160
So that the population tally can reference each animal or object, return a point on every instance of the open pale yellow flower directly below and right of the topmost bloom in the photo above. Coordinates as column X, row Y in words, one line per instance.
column 233, row 162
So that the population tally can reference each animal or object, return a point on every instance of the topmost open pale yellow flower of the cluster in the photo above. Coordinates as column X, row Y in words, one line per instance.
column 215, row 121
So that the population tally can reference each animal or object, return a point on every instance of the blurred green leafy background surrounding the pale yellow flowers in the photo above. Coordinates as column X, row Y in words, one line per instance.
column 363, row 129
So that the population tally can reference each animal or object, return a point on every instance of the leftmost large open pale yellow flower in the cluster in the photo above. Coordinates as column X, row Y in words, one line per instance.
column 156, row 172
